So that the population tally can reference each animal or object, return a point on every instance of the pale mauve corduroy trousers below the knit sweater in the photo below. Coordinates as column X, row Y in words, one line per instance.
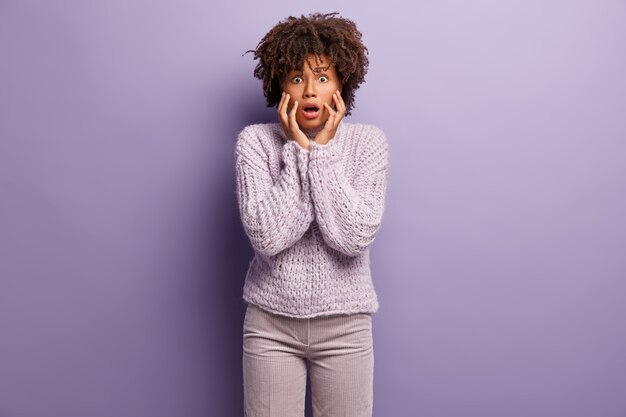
column 340, row 354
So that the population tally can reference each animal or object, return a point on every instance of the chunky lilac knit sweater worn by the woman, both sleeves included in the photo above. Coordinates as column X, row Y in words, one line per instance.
column 311, row 216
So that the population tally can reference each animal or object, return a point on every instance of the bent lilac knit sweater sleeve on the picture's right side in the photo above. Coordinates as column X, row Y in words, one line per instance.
column 349, row 213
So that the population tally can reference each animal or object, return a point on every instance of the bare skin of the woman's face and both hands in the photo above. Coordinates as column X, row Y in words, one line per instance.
column 317, row 86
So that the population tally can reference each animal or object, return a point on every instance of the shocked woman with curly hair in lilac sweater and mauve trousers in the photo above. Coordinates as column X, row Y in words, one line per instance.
column 311, row 192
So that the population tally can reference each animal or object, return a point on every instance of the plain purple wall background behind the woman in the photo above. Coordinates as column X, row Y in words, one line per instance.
column 500, row 265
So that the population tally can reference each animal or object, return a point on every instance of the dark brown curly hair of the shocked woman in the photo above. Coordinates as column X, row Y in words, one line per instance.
column 285, row 47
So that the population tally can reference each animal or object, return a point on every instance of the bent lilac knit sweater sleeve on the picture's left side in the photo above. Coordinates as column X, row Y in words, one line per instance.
column 275, row 214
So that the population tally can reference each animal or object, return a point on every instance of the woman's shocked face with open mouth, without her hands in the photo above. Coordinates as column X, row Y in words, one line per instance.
column 311, row 89
